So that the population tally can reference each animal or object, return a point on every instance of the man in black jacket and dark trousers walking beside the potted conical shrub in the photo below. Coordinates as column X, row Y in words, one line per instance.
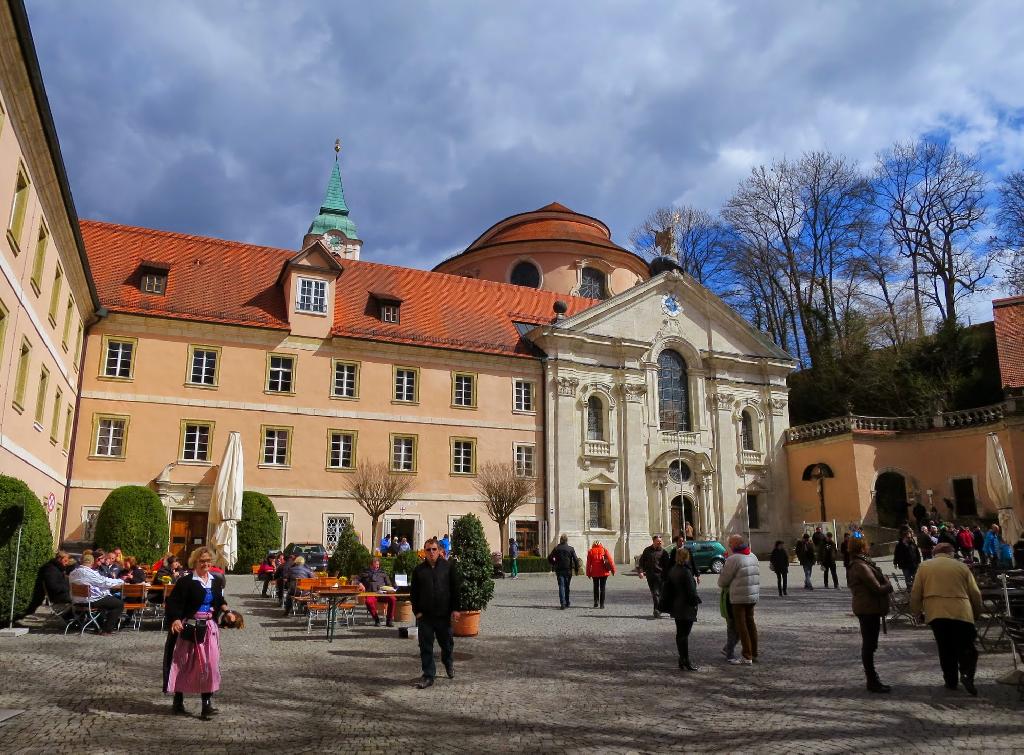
column 435, row 596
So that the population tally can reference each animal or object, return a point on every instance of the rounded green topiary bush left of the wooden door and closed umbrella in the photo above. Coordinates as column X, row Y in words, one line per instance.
column 134, row 519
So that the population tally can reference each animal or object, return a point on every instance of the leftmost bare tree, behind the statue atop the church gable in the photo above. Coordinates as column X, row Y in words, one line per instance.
column 695, row 238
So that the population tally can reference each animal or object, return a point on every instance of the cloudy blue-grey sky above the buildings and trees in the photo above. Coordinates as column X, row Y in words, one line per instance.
column 221, row 118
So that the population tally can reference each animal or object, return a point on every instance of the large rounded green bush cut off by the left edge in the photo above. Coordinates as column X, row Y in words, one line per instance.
column 20, row 508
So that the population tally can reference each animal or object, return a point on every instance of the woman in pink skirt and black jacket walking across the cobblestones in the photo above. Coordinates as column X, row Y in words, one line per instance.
column 192, row 655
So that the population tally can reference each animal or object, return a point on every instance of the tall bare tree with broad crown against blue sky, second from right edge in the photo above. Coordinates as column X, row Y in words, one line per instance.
column 933, row 197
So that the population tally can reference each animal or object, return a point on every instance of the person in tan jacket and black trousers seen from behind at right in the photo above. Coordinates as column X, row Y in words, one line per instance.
column 946, row 592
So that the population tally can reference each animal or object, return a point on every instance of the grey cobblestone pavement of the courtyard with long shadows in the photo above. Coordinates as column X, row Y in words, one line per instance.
column 537, row 680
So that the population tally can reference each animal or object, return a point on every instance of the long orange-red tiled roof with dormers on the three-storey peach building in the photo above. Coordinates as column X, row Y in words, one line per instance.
column 233, row 283
